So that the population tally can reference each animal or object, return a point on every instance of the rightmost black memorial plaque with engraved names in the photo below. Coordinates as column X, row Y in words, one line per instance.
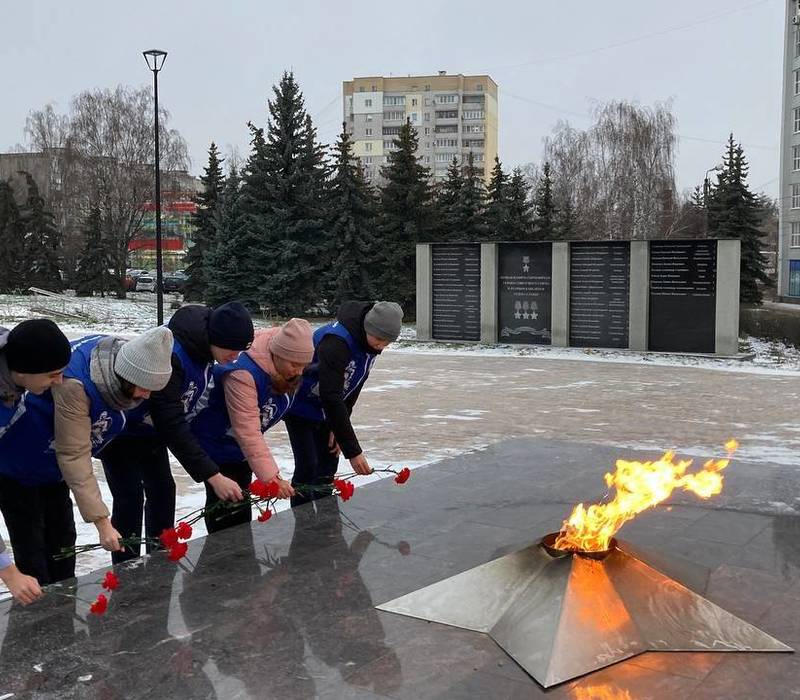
column 683, row 283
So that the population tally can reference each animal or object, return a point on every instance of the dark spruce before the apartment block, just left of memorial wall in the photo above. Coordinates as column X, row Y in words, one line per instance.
column 404, row 219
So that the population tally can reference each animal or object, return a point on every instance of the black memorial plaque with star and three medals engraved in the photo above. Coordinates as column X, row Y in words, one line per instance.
column 524, row 298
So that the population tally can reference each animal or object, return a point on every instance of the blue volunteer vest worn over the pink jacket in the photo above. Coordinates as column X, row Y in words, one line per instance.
column 212, row 424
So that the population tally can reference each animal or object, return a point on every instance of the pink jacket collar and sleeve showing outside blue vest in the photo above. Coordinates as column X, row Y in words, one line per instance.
column 242, row 400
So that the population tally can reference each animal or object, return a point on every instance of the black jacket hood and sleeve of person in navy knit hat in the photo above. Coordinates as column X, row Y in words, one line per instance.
column 189, row 325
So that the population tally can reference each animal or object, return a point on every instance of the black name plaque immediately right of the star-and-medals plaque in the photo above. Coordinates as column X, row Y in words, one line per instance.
column 599, row 294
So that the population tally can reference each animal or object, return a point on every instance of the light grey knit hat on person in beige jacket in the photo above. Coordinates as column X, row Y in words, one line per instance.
column 146, row 361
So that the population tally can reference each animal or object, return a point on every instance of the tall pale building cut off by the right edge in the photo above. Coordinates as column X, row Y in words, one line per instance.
column 789, row 197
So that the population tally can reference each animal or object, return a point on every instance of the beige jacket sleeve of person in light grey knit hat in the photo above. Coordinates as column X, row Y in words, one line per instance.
column 73, row 428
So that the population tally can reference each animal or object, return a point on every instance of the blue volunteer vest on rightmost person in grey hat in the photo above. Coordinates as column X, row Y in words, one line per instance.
column 307, row 403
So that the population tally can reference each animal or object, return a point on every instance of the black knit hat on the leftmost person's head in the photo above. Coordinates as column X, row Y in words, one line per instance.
column 36, row 347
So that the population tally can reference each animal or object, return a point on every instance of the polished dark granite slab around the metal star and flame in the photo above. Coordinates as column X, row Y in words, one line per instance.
column 285, row 609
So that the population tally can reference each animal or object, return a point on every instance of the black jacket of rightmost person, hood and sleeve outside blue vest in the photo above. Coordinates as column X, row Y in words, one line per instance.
column 333, row 356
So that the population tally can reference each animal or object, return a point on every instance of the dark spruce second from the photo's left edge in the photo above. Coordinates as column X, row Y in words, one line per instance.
column 42, row 241
